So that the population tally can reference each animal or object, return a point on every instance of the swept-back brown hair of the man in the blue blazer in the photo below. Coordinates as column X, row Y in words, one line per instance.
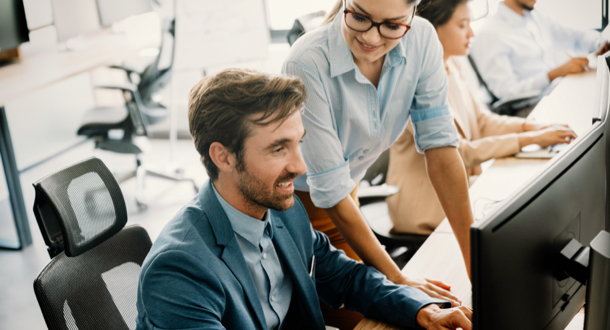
column 221, row 108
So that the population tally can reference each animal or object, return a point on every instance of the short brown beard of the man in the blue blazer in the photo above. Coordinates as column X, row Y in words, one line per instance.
column 257, row 193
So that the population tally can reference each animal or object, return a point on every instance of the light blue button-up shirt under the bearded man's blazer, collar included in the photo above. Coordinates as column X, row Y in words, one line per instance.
column 255, row 240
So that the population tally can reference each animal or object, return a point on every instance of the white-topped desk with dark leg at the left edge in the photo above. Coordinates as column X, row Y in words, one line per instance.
column 43, row 69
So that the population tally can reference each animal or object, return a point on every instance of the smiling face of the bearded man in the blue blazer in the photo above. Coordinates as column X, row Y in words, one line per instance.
column 270, row 163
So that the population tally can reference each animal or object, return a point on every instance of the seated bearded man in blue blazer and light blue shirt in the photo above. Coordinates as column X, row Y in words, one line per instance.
column 242, row 254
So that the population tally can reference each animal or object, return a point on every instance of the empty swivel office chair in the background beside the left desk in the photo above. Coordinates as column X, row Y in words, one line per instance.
column 132, row 119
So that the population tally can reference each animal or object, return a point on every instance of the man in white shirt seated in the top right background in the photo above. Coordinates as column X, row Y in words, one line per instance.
column 520, row 52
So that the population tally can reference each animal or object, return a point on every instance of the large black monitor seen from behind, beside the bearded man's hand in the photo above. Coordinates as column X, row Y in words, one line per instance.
column 518, row 281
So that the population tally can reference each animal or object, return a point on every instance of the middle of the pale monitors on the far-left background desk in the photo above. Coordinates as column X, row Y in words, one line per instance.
column 74, row 18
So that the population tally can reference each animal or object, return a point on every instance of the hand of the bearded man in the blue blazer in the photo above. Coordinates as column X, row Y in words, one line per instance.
column 433, row 317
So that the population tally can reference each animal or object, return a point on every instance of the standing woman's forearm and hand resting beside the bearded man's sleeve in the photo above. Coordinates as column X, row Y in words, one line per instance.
column 347, row 218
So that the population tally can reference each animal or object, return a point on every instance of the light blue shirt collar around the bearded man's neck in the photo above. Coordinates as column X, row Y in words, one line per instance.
column 244, row 225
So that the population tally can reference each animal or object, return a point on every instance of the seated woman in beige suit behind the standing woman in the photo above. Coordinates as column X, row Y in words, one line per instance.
column 483, row 134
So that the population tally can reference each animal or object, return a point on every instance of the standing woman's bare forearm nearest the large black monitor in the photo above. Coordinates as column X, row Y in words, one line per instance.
column 446, row 172
